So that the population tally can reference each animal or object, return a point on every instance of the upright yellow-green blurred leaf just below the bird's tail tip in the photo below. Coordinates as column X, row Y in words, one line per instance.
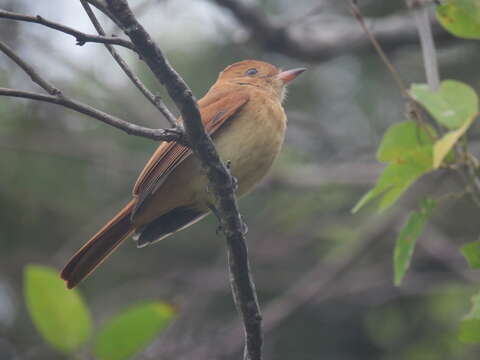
column 59, row 314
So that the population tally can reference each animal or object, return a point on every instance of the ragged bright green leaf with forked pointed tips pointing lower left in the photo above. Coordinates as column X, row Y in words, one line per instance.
column 396, row 178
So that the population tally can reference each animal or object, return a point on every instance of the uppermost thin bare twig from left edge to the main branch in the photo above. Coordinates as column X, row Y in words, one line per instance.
column 81, row 37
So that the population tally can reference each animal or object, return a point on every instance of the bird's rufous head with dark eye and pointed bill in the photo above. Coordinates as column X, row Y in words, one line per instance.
column 260, row 74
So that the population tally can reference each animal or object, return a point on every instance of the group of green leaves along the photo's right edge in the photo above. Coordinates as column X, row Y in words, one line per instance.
column 413, row 148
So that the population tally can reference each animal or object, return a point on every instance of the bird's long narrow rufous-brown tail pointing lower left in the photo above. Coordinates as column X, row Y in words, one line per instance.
column 99, row 247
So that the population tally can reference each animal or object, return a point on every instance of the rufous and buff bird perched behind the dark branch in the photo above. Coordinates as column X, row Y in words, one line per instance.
column 243, row 114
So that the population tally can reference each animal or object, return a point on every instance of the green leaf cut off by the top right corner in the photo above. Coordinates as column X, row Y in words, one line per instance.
column 460, row 17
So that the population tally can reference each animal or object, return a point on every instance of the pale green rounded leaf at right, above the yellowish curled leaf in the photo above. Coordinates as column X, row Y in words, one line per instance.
column 451, row 105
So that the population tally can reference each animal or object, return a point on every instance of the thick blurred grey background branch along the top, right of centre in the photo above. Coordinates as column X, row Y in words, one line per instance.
column 320, row 42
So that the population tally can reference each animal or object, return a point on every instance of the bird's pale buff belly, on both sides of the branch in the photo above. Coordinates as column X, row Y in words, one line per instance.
column 248, row 144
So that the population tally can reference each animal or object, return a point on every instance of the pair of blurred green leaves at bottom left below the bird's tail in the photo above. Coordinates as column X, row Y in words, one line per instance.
column 64, row 320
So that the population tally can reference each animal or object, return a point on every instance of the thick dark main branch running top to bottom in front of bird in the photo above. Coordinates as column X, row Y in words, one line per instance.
column 218, row 175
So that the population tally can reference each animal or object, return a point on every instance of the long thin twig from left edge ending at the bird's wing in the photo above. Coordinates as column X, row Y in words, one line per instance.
column 129, row 128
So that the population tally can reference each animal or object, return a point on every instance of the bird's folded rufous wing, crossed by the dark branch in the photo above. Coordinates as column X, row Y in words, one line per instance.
column 215, row 111
